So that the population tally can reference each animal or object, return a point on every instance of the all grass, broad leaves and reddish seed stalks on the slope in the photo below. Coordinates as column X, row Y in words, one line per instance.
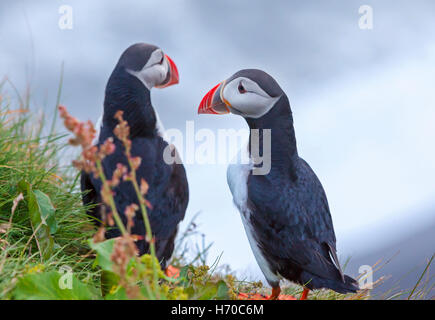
column 50, row 248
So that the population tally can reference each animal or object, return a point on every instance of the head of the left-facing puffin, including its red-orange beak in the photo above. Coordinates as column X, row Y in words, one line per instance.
column 250, row 93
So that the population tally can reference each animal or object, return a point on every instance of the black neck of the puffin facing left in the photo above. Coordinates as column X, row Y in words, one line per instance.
column 283, row 141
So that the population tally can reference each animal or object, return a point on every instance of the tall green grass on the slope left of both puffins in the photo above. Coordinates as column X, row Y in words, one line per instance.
column 26, row 154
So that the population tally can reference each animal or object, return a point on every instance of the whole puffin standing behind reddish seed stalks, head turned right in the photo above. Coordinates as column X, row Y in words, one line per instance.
column 140, row 68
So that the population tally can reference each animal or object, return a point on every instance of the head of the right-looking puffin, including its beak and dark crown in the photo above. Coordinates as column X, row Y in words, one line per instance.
column 150, row 65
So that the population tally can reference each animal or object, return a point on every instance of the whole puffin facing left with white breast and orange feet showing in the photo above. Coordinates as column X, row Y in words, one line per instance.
column 283, row 206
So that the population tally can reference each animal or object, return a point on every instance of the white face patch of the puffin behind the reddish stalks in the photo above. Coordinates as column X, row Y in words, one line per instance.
column 155, row 70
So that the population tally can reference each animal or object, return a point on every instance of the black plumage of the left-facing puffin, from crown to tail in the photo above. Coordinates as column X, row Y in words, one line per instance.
column 289, row 211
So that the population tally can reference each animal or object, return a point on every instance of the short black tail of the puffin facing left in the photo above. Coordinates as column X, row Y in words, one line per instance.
column 315, row 282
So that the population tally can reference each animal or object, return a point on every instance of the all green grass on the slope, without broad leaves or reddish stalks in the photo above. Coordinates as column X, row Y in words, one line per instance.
column 29, row 154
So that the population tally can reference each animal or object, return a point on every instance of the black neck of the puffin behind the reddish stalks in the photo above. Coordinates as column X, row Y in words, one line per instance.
column 127, row 93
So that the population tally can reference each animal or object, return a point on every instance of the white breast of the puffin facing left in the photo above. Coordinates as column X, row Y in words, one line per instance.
column 237, row 178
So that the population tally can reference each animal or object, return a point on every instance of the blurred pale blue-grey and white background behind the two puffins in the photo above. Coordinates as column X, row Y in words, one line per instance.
column 363, row 101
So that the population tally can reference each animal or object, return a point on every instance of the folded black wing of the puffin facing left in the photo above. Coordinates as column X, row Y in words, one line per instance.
column 292, row 223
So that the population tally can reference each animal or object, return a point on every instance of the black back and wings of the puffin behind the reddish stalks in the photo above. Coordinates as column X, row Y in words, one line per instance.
column 167, row 194
